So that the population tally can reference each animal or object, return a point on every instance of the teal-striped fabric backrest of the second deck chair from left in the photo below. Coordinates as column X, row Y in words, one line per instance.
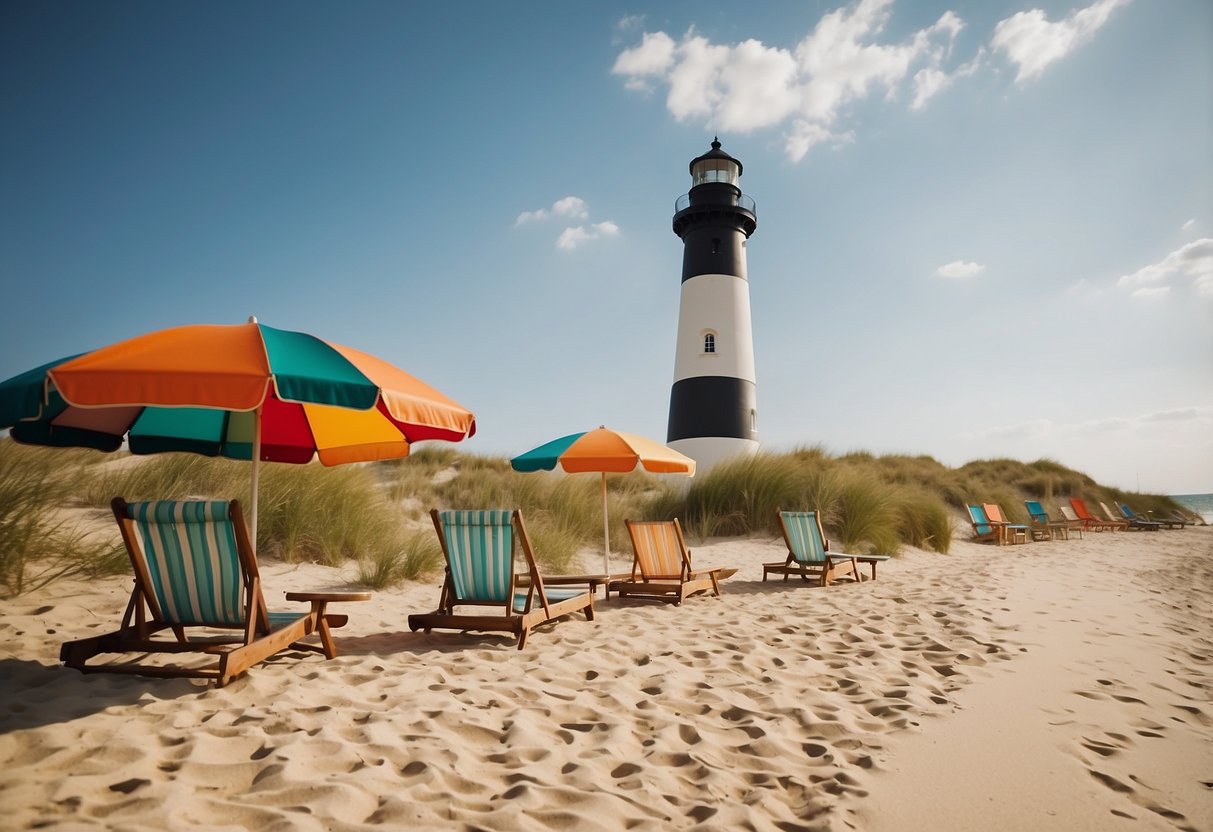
column 480, row 551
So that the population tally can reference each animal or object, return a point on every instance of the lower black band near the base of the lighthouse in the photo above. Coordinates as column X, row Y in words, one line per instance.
column 713, row 407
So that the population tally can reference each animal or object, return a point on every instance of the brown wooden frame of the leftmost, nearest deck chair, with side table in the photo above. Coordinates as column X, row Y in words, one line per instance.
column 261, row 634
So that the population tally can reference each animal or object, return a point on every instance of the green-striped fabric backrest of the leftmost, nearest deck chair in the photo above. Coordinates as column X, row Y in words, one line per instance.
column 187, row 555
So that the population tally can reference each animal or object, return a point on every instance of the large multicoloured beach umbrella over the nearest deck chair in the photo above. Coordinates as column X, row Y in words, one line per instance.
column 244, row 392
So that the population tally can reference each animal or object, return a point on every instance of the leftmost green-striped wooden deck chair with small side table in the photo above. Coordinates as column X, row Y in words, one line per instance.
column 196, row 568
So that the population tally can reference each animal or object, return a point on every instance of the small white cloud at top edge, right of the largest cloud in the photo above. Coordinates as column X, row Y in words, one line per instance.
column 1032, row 42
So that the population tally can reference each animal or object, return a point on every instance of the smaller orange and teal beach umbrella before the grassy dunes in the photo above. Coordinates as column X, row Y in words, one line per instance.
column 605, row 452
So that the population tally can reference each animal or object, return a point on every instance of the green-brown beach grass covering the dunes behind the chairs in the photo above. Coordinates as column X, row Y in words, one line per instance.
column 377, row 515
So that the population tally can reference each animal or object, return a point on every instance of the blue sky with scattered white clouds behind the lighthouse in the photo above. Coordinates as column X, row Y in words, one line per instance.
column 986, row 229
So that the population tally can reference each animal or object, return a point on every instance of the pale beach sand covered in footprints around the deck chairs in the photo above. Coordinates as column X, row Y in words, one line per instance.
column 1057, row 686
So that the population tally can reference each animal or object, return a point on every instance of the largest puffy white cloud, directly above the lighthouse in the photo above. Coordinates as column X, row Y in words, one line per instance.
column 753, row 87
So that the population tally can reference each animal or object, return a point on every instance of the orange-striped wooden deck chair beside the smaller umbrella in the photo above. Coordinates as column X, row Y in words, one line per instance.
column 662, row 567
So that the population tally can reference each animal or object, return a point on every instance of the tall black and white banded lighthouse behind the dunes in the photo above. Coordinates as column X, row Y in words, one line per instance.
column 714, row 413
